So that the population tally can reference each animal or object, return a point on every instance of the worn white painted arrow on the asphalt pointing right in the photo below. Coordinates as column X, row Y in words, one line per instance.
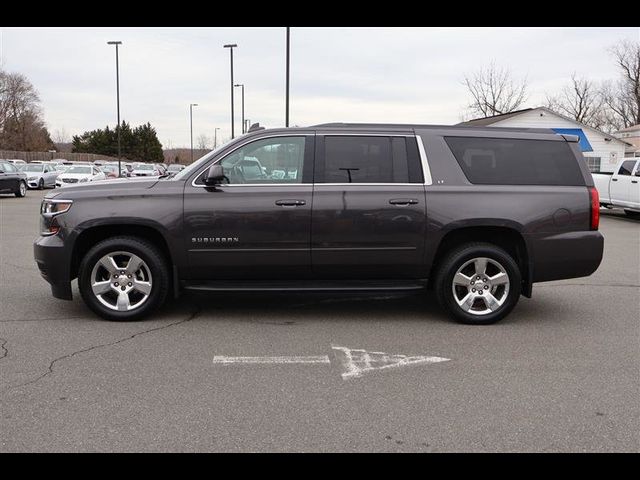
column 354, row 362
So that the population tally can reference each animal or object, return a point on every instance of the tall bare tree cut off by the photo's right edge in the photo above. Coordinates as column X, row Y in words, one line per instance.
column 622, row 97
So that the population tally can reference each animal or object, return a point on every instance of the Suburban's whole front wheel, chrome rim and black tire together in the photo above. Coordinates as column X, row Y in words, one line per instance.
column 123, row 278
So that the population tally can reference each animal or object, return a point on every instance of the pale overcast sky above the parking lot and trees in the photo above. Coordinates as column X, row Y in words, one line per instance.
column 395, row 75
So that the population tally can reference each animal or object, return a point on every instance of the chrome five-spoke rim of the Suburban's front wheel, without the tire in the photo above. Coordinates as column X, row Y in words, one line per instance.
column 121, row 281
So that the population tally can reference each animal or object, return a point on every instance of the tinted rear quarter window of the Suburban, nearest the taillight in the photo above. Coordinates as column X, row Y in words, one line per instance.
column 507, row 161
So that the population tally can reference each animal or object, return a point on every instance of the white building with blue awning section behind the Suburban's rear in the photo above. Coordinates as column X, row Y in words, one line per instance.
column 601, row 150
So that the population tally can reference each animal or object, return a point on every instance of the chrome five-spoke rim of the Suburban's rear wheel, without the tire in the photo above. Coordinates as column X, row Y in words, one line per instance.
column 480, row 286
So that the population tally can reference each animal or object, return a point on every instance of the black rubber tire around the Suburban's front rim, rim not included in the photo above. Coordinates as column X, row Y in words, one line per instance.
column 155, row 262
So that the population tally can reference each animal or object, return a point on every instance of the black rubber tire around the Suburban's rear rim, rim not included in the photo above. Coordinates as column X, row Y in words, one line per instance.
column 456, row 259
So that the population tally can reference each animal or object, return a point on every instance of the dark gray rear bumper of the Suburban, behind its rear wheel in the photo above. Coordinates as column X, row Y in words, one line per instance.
column 565, row 255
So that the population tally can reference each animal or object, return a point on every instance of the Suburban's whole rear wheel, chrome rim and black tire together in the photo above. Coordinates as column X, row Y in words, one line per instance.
column 478, row 283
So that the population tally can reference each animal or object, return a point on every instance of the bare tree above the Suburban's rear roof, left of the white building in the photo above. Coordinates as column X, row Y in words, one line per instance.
column 494, row 91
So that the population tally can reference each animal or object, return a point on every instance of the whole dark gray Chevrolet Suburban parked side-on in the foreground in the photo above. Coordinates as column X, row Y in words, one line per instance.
column 477, row 214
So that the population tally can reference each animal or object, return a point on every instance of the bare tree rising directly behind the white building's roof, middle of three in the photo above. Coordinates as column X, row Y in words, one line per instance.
column 580, row 100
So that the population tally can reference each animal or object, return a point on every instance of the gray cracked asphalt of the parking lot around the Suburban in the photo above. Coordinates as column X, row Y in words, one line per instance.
column 561, row 373
